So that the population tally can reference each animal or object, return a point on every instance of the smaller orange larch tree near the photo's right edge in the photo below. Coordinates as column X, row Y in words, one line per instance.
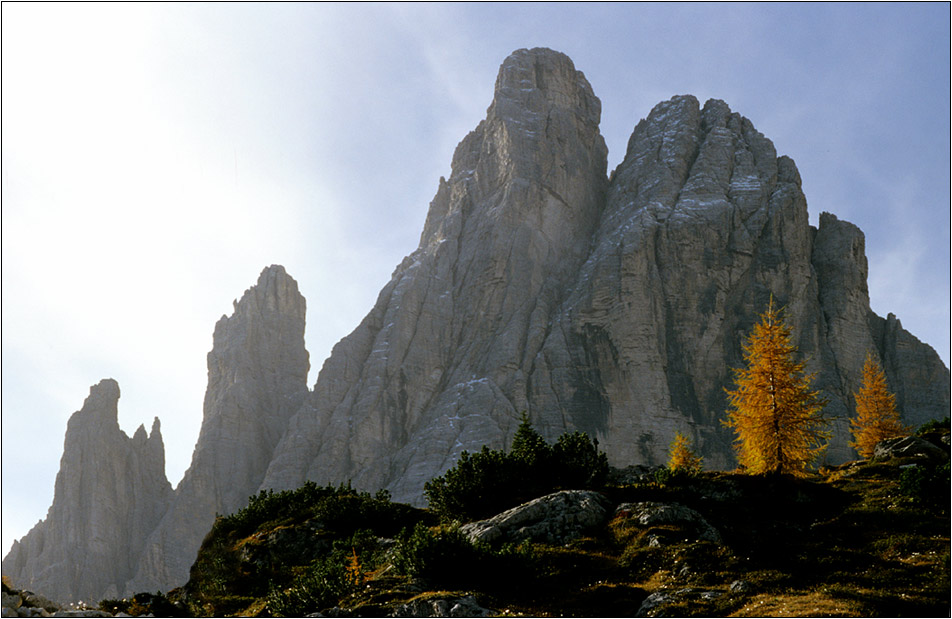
column 876, row 416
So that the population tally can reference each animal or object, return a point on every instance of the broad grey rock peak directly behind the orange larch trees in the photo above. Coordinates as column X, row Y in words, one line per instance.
column 702, row 225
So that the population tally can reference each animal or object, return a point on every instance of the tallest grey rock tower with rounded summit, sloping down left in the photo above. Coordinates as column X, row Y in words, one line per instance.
column 442, row 361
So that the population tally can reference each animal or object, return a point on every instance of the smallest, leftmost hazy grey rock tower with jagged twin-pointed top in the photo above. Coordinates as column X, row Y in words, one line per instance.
column 110, row 493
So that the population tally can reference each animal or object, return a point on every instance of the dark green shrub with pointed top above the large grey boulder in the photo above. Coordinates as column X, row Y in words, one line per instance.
column 490, row 481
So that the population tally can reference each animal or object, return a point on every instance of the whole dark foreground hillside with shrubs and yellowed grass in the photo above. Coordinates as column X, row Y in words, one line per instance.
column 868, row 538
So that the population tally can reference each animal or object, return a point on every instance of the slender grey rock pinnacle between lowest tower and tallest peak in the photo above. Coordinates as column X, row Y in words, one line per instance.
column 257, row 378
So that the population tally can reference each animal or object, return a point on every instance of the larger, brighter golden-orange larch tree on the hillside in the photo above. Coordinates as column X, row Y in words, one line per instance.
column 773, row 410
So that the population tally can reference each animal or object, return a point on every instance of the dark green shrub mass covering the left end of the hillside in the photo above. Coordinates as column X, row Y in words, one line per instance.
column 262, row 549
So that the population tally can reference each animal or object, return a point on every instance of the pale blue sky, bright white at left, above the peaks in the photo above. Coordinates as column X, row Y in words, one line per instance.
column 156, row 157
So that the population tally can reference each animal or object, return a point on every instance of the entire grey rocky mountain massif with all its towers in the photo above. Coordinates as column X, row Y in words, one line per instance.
column 612, row 304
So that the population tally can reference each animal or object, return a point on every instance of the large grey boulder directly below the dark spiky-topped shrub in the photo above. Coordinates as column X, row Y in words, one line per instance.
column 553, row 519
